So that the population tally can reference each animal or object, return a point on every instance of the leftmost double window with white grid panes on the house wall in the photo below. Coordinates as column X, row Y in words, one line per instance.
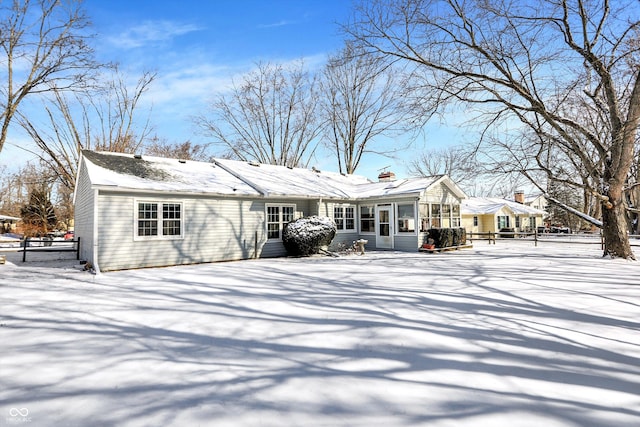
column 159, row 220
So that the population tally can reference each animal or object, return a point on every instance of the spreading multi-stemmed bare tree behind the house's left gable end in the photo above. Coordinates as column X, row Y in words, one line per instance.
column 102, row 118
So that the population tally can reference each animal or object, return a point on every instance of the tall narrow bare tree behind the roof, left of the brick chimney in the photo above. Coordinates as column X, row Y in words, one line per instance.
column 362, row 99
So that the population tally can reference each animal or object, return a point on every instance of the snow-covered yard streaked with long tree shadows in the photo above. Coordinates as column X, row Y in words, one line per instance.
column 504, row 335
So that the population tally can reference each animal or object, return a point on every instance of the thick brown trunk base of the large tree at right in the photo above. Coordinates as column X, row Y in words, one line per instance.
column 615, row 229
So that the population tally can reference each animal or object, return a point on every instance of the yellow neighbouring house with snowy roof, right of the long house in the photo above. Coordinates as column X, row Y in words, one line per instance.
column 490, row 214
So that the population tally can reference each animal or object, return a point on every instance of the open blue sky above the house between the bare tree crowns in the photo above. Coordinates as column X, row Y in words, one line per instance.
column 197, row 47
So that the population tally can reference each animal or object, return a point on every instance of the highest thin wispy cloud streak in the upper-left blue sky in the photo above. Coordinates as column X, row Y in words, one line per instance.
column 151, row 32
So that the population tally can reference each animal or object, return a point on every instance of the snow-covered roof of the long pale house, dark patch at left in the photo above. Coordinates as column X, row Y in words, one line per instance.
column 231, row 177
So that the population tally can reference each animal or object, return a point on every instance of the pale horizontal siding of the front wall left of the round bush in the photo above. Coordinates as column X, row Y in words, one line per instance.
column 214, row 230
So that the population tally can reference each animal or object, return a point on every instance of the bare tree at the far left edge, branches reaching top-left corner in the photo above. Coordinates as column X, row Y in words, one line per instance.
column 44, row 47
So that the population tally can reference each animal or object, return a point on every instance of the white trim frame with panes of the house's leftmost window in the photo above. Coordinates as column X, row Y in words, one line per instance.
column 158, row 220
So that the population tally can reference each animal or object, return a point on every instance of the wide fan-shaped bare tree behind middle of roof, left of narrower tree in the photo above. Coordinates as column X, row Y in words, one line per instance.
column 270, row 117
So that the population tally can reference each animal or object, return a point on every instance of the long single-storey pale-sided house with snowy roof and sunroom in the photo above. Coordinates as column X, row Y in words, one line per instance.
column 134, row 211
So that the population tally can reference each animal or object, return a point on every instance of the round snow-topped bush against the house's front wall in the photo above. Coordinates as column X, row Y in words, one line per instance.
column 305, row 236
